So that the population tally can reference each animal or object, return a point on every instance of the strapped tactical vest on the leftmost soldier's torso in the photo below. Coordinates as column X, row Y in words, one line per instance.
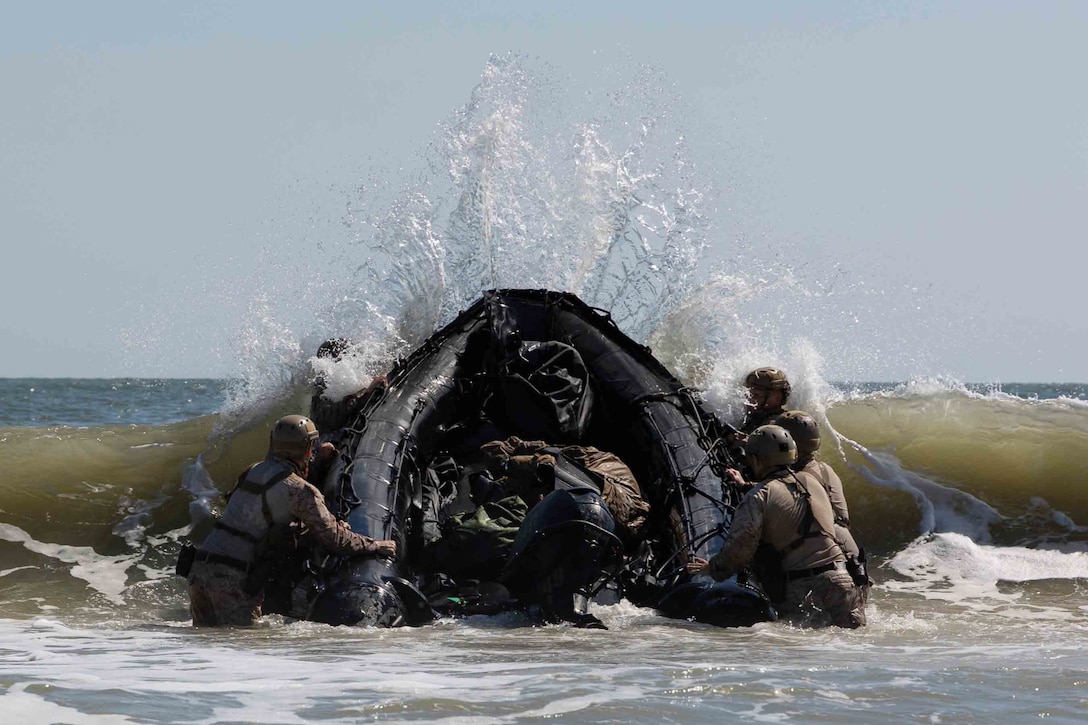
column 257, row 512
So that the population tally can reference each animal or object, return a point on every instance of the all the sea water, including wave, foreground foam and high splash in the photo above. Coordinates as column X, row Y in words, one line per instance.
column 970, row 498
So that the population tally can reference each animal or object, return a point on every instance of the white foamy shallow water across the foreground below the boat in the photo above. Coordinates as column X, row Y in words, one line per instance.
column 500, row 671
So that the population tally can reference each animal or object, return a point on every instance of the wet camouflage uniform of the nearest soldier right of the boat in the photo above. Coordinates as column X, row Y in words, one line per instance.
column 793, row 514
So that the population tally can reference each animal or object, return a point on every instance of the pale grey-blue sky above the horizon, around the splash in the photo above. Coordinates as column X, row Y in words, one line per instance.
column 152, row 154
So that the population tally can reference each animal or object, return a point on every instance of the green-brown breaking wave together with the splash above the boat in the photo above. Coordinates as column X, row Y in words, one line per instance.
column 601, row 198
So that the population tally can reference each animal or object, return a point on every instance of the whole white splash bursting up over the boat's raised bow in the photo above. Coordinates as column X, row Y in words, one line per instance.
column 534, row 186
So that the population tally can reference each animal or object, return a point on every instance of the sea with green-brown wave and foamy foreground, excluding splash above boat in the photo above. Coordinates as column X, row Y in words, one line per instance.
column 980, row 616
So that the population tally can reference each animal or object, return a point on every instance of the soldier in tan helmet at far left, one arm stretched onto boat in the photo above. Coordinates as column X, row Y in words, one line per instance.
column 229, row 573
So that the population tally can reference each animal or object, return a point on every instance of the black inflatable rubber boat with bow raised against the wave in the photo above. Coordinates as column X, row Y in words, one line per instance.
column 538, row 365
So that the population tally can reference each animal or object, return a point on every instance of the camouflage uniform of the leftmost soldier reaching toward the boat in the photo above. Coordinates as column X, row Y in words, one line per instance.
column 270, row 496
